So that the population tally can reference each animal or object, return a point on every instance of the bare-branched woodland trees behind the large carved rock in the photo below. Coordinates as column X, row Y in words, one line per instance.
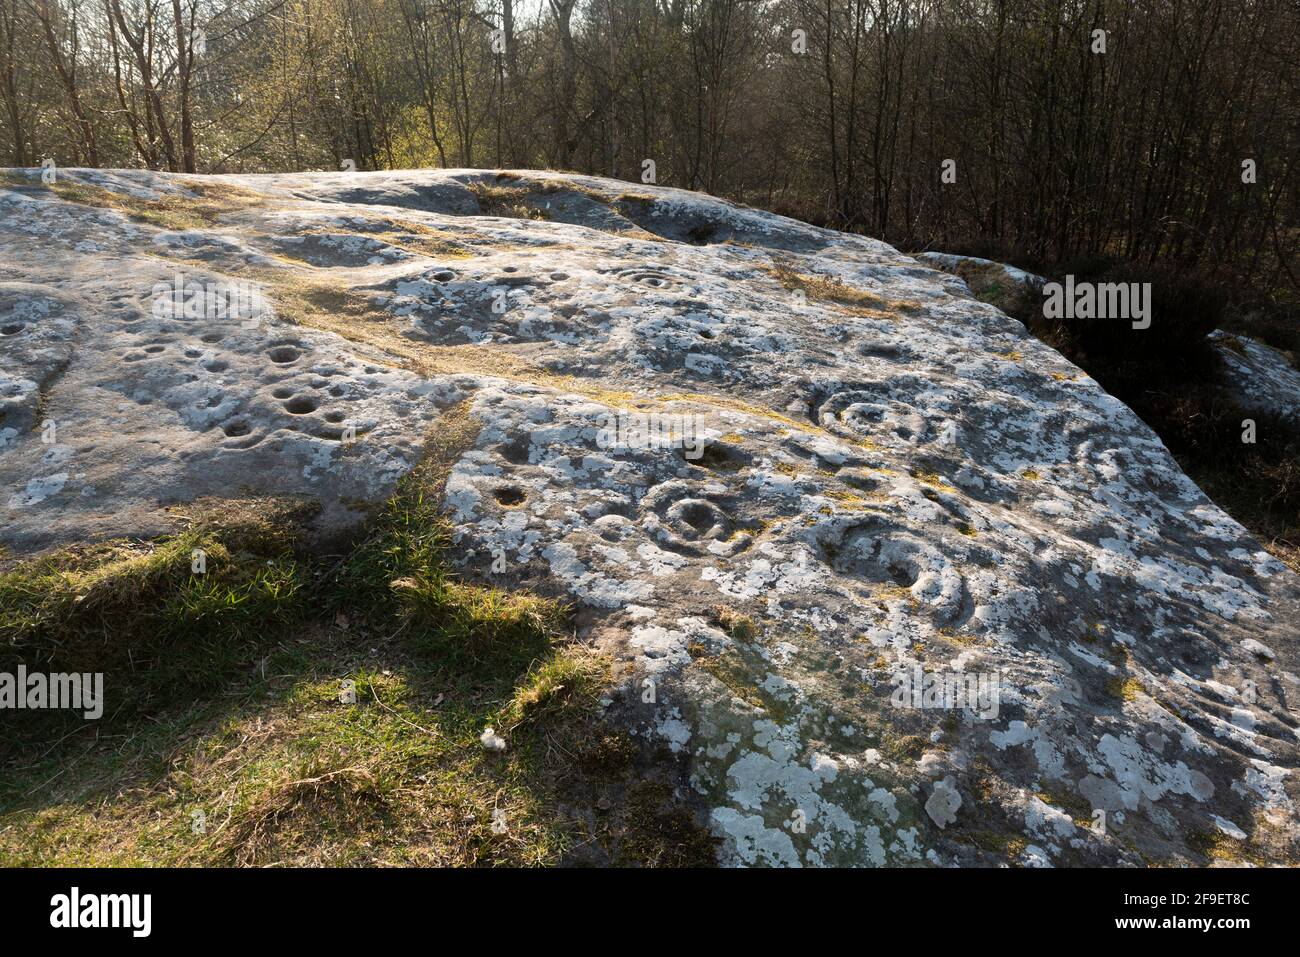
column 1061, row 153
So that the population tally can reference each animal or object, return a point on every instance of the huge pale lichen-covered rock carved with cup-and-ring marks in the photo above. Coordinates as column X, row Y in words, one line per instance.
column 892, row 581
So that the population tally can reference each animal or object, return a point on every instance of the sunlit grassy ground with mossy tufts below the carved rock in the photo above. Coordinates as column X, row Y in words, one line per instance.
column 226, row 741
